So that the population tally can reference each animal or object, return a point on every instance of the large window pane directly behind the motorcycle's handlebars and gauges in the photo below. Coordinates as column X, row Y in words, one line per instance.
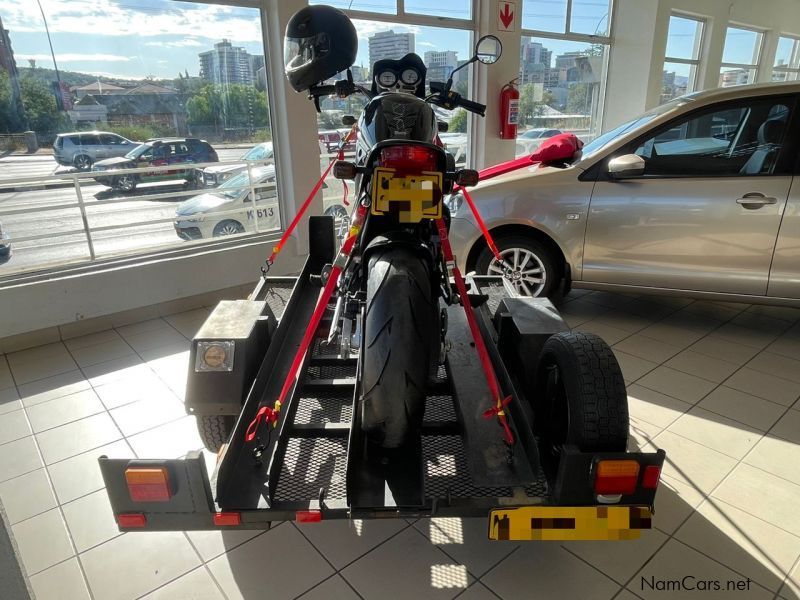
column 441, row 49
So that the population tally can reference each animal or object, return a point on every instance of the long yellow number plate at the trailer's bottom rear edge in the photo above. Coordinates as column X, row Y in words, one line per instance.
column 568, row 522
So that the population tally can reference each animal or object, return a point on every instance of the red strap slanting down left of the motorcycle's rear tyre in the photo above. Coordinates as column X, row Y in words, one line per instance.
column 271, row 415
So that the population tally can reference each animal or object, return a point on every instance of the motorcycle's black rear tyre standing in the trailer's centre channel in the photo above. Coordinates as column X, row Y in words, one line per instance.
column 400, row 318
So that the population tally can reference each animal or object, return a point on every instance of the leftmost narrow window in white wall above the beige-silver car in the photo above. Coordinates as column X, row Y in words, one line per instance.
column 682, row 58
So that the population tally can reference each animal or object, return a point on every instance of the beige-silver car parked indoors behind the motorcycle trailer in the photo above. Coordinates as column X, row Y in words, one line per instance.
column 698, row 197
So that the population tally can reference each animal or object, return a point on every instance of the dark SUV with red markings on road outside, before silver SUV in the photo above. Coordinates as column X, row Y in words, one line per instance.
column 181, row 152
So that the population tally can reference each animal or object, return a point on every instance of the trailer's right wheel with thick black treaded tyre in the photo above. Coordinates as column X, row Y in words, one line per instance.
column 580, row 395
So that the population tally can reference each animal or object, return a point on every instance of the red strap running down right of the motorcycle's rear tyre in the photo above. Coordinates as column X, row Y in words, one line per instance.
column 499, row 403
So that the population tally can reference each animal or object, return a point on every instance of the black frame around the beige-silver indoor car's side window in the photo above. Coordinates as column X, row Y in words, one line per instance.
column 785, row 166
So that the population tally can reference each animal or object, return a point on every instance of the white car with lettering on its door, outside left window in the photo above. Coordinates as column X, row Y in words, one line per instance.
column 230, row 209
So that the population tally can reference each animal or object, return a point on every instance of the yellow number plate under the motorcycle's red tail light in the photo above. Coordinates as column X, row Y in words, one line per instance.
column 411, row 198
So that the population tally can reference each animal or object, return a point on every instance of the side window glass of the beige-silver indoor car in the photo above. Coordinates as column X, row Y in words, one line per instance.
column 745, row 138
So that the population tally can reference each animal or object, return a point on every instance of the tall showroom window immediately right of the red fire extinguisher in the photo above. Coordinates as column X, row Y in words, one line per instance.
column 562, row 76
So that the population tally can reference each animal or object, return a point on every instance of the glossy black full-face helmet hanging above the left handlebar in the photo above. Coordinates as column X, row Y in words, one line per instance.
column 320, row 42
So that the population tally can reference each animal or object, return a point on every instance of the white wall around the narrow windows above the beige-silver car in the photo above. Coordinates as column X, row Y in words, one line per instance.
column 639, row 41
